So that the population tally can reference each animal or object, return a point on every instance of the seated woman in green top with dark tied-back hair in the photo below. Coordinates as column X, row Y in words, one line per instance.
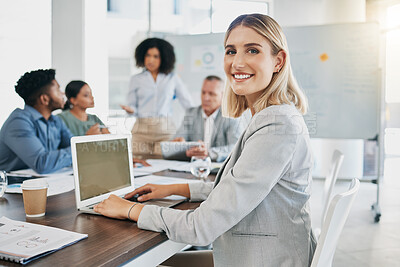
column 80, row 98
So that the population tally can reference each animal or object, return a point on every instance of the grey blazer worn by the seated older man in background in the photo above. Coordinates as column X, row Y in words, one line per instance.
column 223, row 138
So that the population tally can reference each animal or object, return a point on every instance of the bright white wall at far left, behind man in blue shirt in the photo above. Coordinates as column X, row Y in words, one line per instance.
column 25, row 45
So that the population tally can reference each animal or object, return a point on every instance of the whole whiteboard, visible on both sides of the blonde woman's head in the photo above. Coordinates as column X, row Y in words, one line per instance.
column 336, row 65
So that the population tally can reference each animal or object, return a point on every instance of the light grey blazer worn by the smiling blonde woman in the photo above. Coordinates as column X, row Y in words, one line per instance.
column 257, row 211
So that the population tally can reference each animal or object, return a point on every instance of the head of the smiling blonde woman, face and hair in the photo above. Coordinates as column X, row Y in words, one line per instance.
column 268, row 56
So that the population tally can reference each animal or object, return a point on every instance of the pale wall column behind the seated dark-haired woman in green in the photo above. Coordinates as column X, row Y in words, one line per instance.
column 80, row 47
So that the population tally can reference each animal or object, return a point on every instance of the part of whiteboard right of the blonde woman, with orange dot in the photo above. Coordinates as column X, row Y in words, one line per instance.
column 337, row 67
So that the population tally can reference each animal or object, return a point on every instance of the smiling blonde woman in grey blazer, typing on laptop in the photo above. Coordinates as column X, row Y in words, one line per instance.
column 257, row 212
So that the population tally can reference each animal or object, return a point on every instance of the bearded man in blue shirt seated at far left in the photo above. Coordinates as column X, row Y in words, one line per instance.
column 32, row 137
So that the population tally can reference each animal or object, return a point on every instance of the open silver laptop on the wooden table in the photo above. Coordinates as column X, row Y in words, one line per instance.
column 103, row 166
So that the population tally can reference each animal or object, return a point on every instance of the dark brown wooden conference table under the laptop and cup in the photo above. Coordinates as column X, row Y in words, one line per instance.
column 110, row 242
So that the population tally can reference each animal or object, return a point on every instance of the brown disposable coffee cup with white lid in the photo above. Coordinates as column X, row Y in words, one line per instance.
column 34, row 193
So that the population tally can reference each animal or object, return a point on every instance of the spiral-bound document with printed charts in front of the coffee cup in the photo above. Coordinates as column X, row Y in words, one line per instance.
column 23, row 242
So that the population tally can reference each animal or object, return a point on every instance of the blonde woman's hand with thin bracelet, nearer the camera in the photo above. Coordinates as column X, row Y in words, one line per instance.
column 116, row 207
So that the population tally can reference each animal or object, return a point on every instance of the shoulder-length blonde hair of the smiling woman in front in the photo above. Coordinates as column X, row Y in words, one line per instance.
column 283, row 88
